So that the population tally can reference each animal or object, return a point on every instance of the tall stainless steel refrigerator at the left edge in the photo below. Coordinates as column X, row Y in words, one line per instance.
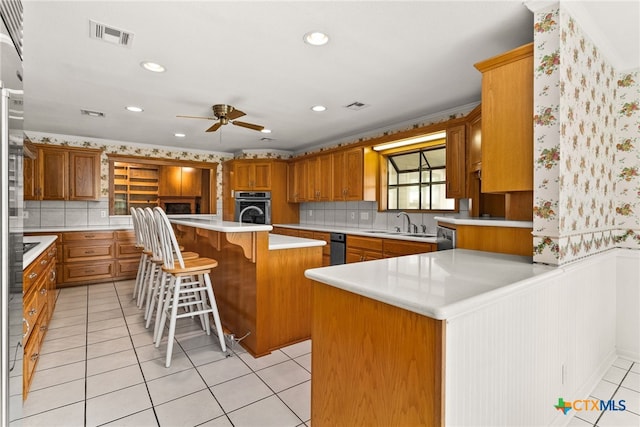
column 11, row 205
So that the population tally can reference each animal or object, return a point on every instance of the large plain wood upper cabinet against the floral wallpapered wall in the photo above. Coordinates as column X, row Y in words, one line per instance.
column 507, row 121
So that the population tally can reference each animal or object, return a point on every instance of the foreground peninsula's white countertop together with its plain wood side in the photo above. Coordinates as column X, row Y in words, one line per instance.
column 380, row 330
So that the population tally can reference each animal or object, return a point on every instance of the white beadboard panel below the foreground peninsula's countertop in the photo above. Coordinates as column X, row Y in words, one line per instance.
column 509, row 362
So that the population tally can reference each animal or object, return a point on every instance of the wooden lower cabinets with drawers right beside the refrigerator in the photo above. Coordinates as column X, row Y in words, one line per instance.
column 39, row 285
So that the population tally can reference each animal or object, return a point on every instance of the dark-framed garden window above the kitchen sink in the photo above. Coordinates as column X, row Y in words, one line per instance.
column 417, row 180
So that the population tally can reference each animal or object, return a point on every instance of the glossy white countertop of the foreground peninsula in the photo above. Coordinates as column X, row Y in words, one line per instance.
column 440, row 285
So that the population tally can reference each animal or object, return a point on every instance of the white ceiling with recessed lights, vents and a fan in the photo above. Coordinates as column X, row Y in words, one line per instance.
column 406, row 60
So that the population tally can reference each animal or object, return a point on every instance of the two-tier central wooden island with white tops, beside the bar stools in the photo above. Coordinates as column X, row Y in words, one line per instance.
column 259, row 284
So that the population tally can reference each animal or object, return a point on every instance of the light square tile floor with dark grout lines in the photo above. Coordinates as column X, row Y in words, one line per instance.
column 98, row 366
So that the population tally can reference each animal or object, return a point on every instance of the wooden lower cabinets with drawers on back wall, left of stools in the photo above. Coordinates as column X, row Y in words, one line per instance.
column 87, row 257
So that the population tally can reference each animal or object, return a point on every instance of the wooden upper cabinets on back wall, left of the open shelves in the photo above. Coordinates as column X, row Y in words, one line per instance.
column 62, row 173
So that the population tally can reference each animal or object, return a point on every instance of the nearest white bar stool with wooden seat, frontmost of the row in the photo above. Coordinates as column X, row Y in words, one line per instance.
column 189, row 287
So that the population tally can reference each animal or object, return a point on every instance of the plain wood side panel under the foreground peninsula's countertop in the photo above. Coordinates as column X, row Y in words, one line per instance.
column 374, row 364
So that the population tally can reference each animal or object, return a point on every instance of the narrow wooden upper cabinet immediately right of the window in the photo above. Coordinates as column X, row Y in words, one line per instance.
column 456, row 162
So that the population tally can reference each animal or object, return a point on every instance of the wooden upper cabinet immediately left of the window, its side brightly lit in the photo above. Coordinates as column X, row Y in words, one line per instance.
column 355, row 174
